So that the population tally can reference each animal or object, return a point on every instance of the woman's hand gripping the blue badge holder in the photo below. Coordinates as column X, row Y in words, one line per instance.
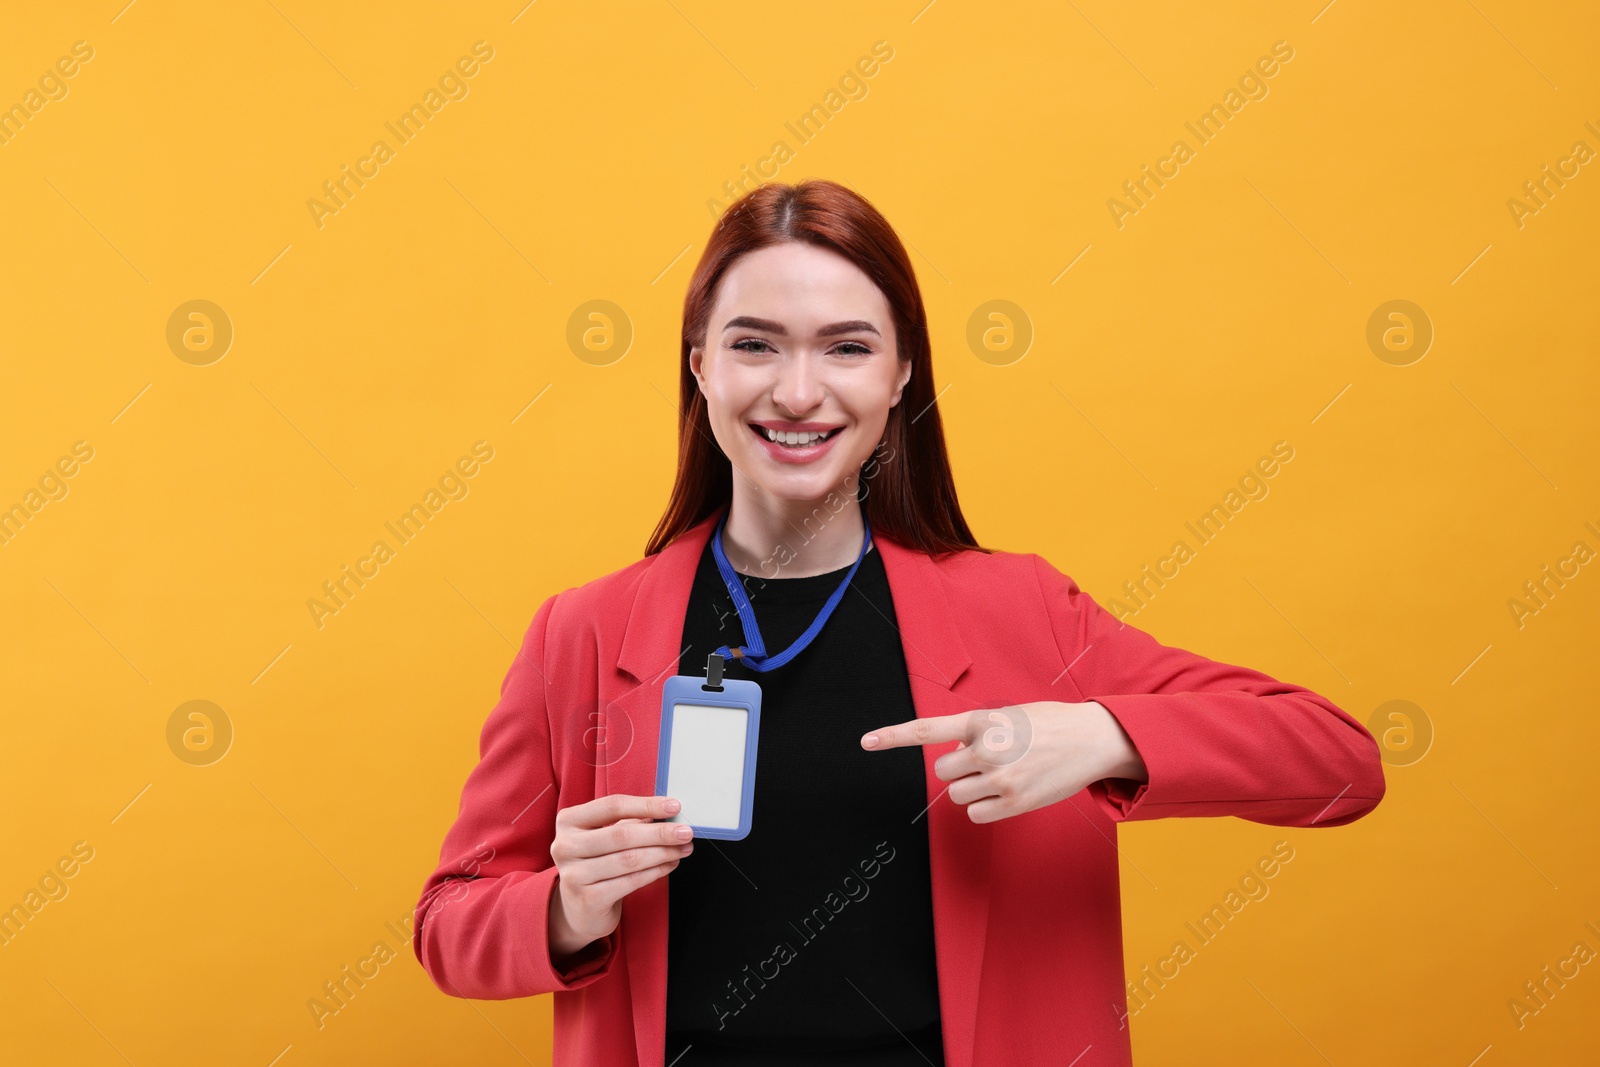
column 604, row 850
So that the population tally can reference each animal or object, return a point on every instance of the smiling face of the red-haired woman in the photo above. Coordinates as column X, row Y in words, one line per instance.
column 801, row 342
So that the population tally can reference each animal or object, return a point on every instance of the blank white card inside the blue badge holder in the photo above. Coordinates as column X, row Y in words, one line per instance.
column 706, row 764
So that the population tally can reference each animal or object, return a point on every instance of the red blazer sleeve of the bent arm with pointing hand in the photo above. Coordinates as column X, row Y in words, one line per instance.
column 1217, row 740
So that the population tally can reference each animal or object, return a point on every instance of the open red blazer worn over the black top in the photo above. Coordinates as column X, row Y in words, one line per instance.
column 1028, row 922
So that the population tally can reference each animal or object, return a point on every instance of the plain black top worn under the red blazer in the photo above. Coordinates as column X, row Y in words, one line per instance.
column 812, row 940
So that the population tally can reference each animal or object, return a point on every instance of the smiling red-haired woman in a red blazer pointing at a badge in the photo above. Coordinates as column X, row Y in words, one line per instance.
column 932, row 873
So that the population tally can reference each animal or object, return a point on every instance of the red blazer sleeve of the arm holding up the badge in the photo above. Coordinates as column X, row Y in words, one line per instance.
column 482, row 925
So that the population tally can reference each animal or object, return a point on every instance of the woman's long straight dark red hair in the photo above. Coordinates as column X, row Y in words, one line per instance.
column 910, row 494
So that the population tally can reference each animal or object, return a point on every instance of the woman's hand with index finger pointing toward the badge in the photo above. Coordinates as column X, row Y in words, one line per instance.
column 1020, row 757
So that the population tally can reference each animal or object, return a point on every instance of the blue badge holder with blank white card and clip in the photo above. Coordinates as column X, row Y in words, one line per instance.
column 706, row 761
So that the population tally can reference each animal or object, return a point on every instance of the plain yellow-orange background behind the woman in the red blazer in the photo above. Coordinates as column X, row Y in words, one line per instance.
column 1134, row 377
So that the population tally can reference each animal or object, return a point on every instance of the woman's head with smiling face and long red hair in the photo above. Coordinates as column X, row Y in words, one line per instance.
column 806, row 316
